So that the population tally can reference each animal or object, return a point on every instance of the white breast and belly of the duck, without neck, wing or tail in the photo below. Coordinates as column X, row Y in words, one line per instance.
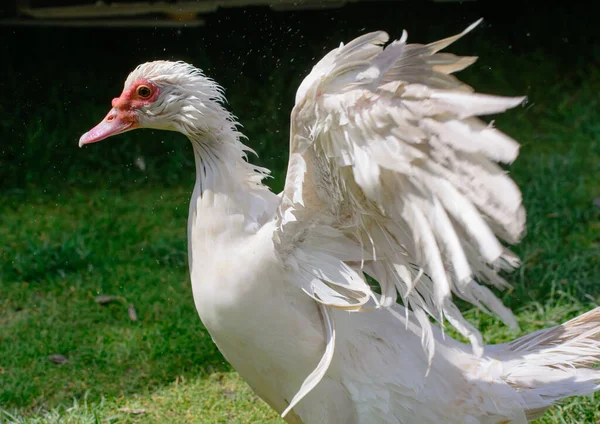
column 274, row 335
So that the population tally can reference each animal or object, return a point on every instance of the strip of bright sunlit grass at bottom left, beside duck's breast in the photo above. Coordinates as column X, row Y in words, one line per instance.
column 221, row 397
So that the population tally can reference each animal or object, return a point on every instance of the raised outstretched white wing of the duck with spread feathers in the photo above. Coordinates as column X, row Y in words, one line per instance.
column 392, row 174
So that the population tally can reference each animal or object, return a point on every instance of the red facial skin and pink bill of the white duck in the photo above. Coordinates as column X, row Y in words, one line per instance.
column 123, row 116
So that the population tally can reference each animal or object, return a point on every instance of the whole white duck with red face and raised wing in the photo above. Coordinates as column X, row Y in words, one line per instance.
column 391, row 175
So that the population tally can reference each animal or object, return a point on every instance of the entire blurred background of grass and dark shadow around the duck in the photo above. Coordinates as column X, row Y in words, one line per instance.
column 97, row 321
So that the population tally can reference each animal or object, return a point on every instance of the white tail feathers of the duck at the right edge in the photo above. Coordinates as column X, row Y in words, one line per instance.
column 552, row 364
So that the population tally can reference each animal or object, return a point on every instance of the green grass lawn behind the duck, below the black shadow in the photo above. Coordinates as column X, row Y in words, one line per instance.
column 79, row 223
